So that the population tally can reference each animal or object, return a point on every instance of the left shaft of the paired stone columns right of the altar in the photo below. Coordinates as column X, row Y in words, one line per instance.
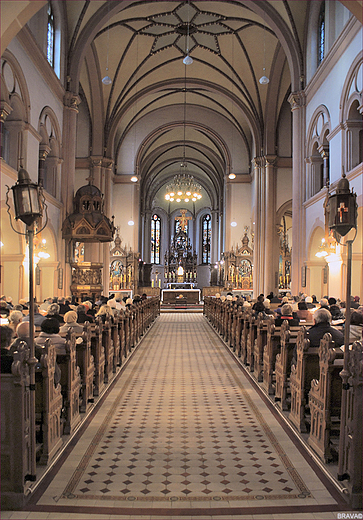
column 259, row 250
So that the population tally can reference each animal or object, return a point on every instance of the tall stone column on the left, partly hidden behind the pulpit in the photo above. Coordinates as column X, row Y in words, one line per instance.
column 71, row 102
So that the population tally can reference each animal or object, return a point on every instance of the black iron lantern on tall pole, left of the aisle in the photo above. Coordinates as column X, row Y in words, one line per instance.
column 28, row 205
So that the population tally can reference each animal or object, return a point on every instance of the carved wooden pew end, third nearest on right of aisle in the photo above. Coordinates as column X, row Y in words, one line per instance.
column 306, row 369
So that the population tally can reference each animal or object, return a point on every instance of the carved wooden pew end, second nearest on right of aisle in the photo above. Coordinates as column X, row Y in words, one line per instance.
column 325, row 399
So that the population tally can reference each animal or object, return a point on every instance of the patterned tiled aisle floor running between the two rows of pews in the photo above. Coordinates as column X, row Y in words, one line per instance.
column 183, row 433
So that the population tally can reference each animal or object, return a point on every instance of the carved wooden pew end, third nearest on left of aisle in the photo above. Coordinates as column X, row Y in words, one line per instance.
column 70, row 383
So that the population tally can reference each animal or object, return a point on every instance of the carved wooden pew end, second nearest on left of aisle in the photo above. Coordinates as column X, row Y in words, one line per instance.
column 48, row 405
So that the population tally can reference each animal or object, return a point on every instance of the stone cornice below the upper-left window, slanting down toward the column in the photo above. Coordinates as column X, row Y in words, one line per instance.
column 37, row 57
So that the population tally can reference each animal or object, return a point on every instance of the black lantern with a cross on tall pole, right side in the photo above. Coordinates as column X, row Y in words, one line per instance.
column 343, row 219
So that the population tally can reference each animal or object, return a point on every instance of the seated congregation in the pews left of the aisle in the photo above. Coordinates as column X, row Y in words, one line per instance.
column 52, row 320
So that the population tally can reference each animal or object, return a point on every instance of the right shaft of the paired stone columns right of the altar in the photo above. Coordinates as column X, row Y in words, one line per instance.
column 270, row 228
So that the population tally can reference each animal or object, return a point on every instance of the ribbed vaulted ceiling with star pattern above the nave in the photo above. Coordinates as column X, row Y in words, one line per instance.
column 157, row 109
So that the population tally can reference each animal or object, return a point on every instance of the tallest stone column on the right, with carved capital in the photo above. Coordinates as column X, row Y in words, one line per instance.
column 297, row 102
